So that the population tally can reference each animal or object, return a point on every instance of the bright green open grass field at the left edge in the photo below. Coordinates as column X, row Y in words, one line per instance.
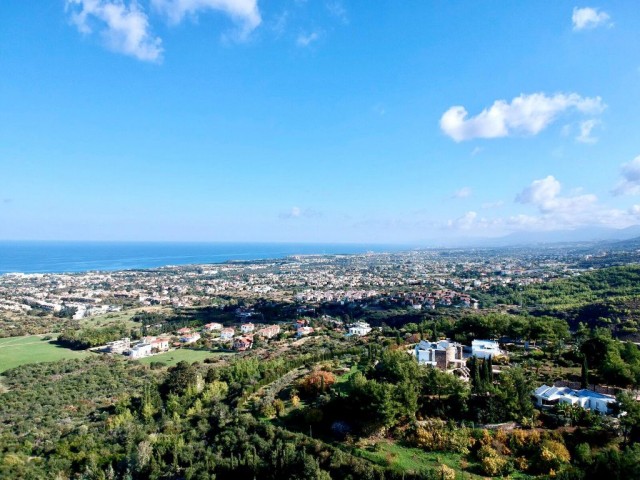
column 16, row 351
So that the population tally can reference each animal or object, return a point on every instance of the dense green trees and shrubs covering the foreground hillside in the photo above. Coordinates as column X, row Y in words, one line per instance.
column 336, row 407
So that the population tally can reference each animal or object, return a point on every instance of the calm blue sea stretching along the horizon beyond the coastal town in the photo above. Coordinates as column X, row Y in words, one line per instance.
column 57, row 257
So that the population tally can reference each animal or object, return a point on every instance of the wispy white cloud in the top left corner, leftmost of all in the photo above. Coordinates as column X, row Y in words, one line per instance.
column 124, row 28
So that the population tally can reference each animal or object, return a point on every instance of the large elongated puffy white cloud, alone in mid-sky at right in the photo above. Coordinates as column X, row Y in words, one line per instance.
column 526, row 114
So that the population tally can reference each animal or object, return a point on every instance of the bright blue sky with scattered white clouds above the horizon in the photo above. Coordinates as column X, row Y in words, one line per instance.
column 316, row 120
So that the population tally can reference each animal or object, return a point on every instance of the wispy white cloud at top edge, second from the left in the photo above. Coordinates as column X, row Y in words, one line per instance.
column 243, row 12
